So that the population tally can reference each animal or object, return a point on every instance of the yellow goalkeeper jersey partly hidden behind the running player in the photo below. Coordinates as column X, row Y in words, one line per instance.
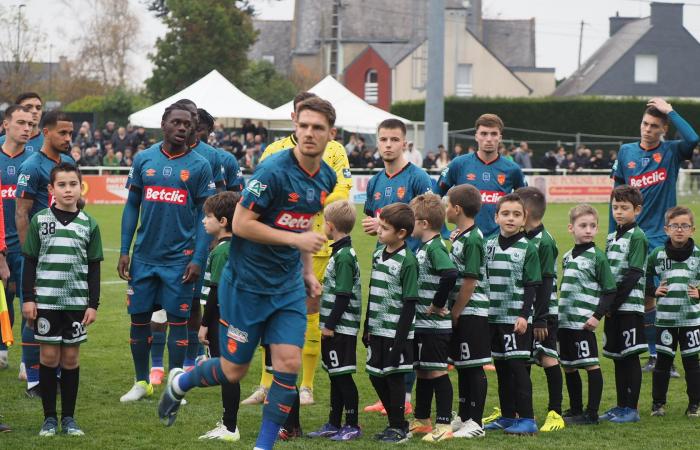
column 334, row 156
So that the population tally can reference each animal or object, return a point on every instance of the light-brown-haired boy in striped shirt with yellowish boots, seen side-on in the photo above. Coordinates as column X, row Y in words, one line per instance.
column 437, row 276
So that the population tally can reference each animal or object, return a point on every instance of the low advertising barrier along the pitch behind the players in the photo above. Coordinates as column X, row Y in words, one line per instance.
column 106, row 186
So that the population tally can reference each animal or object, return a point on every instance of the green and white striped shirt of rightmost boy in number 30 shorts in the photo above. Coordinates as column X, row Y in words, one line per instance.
column 676, row 309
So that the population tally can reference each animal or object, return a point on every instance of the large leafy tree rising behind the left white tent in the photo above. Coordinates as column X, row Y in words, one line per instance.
column 202, row 36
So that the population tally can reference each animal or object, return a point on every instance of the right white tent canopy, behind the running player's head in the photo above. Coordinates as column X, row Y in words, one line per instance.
column 353, row 114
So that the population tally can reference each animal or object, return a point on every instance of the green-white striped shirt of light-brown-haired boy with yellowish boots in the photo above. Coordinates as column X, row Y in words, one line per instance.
column 432, row 259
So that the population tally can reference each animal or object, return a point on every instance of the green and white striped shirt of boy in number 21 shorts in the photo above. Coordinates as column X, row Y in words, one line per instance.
column 510, row 270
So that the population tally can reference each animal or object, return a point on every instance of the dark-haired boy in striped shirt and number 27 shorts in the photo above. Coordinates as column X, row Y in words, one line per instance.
column 626, row 249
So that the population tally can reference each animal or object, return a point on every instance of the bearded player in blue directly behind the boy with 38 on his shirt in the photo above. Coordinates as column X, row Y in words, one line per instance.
column 32, row 196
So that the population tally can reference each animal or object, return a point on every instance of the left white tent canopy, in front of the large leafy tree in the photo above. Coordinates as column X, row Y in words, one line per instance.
column 214, row 93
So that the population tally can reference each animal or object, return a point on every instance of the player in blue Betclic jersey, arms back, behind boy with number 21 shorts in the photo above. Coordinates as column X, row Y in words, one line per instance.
column 486, row 170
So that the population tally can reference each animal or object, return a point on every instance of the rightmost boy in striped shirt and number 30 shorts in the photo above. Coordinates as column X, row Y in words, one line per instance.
column 677, row 264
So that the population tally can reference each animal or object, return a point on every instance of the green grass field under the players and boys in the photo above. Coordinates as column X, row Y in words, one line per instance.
column 107, row 373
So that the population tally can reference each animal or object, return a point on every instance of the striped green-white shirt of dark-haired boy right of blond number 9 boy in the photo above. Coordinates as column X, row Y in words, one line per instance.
column 394, row 280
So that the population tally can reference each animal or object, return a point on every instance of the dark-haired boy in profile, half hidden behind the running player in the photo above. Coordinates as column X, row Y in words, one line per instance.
column 218, row 211
